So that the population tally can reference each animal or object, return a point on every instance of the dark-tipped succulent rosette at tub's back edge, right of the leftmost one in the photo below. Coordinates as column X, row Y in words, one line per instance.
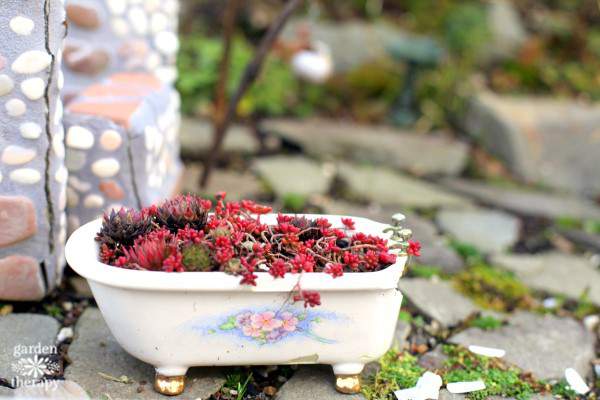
column 180, row 212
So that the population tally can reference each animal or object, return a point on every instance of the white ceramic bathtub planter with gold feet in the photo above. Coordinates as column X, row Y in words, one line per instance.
column 174, row 321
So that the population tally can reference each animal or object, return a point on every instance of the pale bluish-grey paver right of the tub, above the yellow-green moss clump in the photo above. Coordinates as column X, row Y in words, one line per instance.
column 491, row 231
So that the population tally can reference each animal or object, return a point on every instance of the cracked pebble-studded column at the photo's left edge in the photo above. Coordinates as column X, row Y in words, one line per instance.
column 32, row 173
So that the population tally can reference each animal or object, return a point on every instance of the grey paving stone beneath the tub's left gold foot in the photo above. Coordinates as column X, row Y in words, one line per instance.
column 89, row 357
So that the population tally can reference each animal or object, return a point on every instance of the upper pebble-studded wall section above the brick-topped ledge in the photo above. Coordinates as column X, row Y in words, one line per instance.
column 108, row 36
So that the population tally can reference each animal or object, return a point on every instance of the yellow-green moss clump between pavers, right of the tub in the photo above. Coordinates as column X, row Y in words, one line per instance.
column 492, row 288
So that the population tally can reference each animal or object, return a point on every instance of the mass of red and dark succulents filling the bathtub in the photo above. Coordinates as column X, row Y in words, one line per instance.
column 181, row 235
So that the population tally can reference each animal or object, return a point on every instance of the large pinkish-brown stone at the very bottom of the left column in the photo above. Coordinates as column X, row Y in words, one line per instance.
column 21, row 279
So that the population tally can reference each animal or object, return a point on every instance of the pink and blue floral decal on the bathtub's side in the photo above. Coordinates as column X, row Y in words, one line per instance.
column 269, row 326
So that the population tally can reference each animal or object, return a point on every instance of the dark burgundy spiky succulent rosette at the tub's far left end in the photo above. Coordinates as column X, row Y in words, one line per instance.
column 122, row 228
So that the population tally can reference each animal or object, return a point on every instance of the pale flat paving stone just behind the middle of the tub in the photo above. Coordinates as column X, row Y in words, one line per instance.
column 293, row 175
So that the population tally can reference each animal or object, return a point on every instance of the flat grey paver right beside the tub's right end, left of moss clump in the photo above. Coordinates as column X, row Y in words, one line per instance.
column 437, row 300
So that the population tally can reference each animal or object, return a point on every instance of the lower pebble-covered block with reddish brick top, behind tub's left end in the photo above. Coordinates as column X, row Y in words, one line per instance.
column 122, row 146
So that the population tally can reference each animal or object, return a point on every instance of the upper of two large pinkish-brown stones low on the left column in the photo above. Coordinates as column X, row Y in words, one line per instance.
column 18, row 219
